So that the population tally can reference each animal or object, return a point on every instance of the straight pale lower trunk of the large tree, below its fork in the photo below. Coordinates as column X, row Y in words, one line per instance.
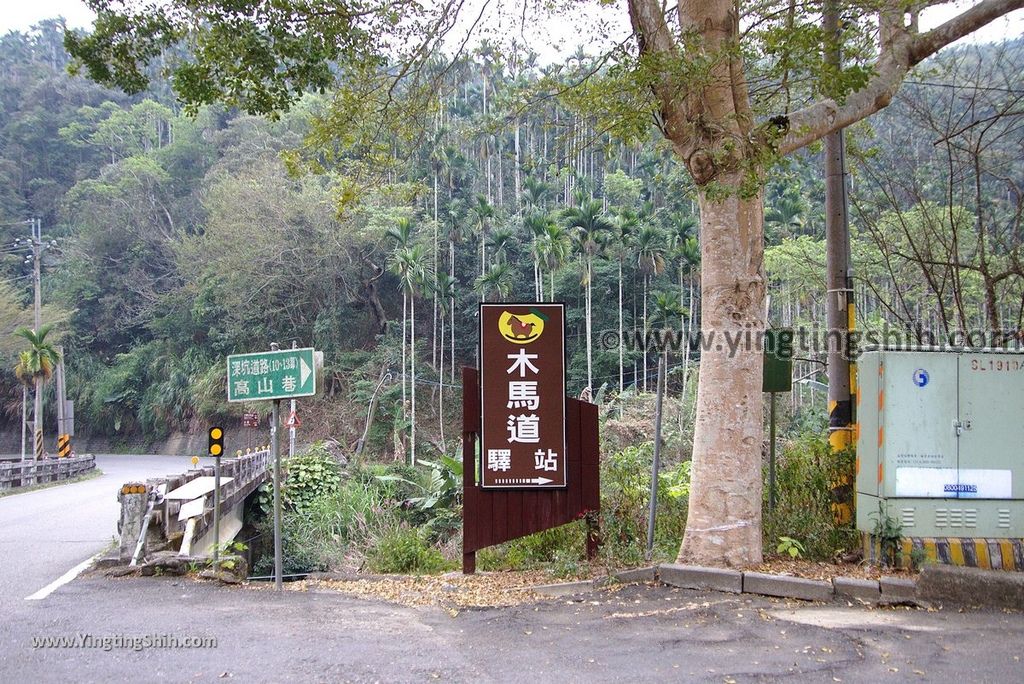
column 724, row 519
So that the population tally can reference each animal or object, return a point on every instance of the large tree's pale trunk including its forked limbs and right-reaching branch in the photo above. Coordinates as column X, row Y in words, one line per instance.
column 712, row 131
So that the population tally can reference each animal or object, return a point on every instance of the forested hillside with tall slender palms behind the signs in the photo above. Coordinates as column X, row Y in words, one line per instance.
column 186, row 239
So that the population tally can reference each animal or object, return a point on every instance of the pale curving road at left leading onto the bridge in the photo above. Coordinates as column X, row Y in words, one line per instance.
column 47, row 533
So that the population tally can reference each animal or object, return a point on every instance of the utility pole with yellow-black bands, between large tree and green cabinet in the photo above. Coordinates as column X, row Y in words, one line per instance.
column 839, row 307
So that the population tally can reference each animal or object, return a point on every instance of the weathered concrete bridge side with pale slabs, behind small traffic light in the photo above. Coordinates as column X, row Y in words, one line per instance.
column 177, row 512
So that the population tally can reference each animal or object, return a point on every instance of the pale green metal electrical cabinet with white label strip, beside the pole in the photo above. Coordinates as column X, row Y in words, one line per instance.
column 941, row 443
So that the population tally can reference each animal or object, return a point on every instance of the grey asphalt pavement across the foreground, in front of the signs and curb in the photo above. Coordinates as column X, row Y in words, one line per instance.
column 637, row 634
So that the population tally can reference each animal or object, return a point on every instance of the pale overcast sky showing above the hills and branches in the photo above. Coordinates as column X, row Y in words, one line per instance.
column 21, row 15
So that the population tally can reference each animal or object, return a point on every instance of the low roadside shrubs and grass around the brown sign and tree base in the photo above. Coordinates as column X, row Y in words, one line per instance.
column 351, row 516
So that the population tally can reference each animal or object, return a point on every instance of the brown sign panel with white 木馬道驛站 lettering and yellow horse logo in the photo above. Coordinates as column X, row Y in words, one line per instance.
column 523, row 396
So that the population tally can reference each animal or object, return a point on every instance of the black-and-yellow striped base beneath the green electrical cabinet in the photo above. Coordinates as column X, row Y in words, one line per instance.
column 996, row 554
